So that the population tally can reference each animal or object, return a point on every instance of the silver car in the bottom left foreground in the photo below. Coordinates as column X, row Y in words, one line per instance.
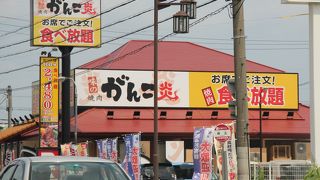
column 63, row 168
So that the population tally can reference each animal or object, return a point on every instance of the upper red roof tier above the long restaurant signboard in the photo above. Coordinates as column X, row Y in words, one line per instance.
column 176, row 56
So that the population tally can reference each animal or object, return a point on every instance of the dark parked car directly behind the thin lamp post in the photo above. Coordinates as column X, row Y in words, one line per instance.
column 166, row 171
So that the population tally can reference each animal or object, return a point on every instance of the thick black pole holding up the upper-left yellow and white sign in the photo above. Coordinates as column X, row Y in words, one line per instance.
column 65, row 138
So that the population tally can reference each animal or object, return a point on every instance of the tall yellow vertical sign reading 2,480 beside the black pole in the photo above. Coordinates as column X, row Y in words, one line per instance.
column 49, row 102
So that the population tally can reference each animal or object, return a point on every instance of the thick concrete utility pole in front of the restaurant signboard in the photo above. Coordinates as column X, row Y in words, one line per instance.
column 242, row 135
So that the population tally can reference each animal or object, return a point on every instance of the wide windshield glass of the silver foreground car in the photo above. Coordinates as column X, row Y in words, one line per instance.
column 76, row 171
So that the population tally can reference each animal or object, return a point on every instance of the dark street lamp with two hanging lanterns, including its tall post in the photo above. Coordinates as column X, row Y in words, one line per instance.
column 188, row 7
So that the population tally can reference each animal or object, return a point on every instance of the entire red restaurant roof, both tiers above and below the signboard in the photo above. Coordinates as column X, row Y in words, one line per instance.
column 182, row 56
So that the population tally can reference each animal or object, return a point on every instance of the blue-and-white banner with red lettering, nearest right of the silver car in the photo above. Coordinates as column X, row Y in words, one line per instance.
column 132, row 162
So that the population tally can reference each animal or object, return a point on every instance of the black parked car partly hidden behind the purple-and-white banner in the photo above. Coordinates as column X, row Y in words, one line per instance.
column 184, row 171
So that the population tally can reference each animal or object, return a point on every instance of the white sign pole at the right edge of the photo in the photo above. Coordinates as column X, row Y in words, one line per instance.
column 314, row 44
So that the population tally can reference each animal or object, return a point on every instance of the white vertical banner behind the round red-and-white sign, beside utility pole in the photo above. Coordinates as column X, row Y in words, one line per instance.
column 230, row 148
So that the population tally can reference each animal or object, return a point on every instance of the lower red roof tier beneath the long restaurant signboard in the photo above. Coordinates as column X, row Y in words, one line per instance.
column 95, row 121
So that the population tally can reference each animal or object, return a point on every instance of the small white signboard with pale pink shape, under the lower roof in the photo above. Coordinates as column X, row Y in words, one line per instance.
column 175, row 151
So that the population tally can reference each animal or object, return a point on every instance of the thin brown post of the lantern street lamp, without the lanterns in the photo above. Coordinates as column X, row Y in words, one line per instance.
column 155, row 100
